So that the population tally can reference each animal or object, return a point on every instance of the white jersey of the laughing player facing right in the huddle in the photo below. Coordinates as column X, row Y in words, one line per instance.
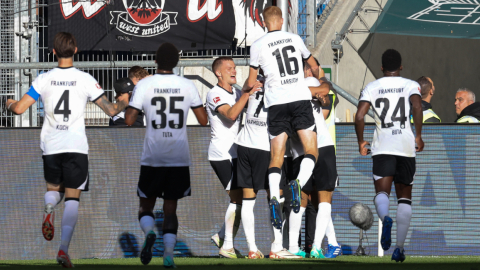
column 224, row 131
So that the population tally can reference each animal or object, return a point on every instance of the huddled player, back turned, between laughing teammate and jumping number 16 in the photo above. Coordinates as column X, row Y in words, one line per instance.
column 253, row 153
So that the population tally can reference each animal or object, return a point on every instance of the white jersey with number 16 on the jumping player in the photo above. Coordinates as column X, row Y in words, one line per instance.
column 280, row 55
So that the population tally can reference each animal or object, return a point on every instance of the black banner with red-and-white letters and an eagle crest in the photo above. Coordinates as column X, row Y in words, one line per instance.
column 141, row 25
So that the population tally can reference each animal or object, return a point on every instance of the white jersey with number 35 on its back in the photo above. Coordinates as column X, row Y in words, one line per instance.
column 166, row 100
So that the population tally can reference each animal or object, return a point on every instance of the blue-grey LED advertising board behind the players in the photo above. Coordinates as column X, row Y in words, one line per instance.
column 446, row 197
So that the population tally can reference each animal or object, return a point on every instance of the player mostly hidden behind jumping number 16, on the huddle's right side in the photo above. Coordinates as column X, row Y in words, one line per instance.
column 324, row 180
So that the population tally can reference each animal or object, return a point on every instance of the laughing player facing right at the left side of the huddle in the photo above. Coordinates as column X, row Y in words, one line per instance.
column 224, row 105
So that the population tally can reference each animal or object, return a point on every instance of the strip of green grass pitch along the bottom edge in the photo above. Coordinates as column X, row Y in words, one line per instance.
column 343, row 262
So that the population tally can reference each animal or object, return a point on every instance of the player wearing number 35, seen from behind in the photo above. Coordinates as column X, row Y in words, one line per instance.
column 166, row 100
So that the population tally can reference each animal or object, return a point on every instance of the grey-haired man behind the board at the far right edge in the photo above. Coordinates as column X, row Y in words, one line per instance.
column 468, row 111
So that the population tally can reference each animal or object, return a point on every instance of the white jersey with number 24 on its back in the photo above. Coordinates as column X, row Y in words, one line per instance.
column 389, row 97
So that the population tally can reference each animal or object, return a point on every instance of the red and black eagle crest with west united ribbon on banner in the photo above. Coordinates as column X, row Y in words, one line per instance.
column 143, row 18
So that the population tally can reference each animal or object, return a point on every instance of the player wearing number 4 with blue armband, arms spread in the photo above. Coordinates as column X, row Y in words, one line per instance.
column 65, row 92
